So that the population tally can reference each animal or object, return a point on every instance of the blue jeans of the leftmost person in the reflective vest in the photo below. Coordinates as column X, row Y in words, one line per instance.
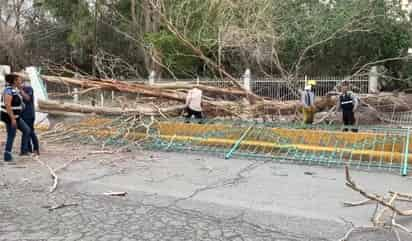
column 11, row 135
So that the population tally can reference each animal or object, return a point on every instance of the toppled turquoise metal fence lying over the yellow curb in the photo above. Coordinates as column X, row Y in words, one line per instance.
column 370, row 148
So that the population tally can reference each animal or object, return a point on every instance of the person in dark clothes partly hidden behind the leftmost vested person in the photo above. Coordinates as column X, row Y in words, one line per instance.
column 28, row 115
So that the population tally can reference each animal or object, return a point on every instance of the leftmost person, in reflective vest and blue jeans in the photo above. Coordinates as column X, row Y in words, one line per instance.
column 11, row 107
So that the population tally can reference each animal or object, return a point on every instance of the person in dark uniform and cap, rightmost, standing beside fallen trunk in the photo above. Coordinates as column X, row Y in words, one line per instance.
column 347, row 103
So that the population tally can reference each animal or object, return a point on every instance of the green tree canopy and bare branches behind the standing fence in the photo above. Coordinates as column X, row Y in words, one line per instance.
column 272, row 37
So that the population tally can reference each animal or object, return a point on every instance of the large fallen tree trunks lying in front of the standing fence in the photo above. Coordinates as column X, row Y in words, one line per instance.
column 213, row 104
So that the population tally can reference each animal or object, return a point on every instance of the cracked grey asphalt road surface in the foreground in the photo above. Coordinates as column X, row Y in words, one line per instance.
column 176, row 196
